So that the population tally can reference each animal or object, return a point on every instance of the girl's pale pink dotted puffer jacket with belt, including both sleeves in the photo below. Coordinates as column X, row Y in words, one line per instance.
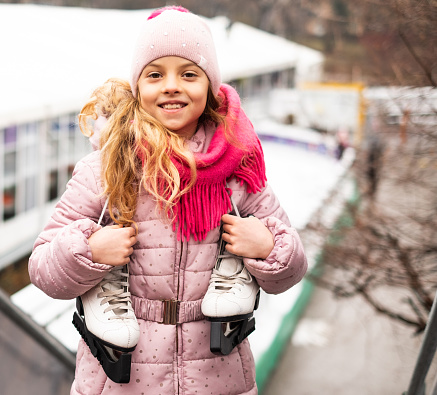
column 169, row 359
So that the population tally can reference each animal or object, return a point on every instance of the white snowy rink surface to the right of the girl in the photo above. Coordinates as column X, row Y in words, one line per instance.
column 302, row 180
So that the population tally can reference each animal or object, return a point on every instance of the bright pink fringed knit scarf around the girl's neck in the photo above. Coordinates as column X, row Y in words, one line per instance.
column 200, row 209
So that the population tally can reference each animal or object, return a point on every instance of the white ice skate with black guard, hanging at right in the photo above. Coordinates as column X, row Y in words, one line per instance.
column 231, row 298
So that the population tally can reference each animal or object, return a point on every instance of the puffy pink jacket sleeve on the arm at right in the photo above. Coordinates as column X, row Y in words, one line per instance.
column 287, row 264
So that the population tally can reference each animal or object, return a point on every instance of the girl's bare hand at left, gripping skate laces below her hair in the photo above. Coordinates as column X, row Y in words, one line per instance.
column 112, row 245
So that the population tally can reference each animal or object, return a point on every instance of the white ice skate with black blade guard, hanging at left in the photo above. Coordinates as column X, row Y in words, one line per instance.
column 106, row 321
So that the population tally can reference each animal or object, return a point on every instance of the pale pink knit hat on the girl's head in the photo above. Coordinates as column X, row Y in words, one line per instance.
column 174, row 31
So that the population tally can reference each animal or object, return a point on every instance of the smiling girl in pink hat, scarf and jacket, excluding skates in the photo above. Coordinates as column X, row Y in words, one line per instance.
column 174, row 145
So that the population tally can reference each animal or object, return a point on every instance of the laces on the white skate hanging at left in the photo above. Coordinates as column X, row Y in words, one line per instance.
column 114, row 292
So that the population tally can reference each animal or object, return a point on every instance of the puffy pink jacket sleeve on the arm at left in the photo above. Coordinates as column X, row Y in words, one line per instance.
column 61, row 263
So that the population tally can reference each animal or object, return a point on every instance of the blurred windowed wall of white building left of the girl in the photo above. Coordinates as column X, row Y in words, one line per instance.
column 22, row 165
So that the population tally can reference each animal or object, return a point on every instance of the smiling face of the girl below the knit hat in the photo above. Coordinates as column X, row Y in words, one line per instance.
column 174, row 90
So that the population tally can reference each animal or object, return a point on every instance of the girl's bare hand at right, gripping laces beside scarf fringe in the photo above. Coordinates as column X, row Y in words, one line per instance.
column 247, row 237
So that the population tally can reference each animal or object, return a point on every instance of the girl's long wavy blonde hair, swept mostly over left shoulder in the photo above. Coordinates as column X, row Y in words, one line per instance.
column 136, row 150
